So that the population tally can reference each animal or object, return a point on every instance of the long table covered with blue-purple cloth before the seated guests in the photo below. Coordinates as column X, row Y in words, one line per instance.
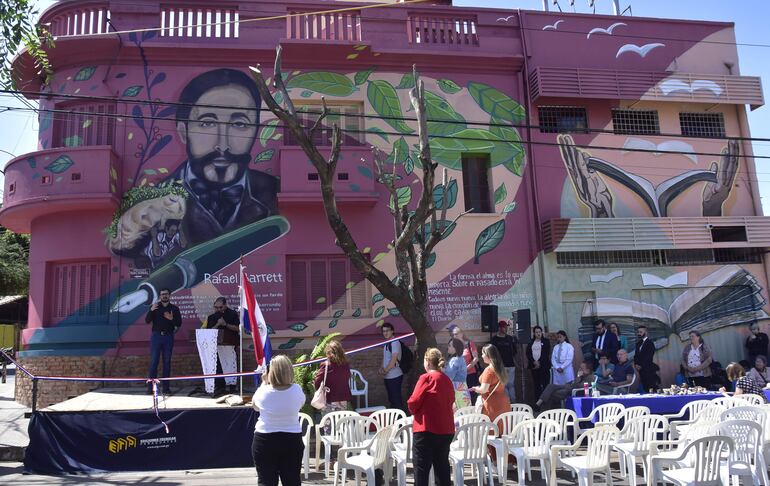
column 658, row 404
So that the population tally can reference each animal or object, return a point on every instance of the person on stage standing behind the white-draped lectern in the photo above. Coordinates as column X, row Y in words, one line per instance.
column 228, row 322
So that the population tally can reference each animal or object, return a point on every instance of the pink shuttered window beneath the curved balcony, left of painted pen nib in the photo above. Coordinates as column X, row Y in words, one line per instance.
column 76, row 288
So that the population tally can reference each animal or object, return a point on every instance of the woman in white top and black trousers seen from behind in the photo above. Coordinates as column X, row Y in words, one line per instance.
column 277, row 447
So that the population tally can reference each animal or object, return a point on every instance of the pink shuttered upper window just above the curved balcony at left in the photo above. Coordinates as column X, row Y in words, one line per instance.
column 84, row 124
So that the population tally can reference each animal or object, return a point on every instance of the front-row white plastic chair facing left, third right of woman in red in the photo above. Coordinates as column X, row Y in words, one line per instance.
column 598, row 443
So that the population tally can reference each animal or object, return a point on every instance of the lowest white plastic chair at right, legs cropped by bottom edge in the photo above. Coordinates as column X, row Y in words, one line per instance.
column 704, row 463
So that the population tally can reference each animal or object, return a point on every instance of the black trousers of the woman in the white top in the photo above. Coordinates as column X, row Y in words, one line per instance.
column 278, row 455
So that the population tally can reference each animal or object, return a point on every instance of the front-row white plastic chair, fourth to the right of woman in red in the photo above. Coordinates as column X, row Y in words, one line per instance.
column 634, row 441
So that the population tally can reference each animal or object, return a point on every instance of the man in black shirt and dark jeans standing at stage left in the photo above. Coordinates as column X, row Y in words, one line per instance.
column 166, row 321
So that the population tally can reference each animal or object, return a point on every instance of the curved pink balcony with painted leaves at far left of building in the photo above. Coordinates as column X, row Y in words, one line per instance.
column 57, row 180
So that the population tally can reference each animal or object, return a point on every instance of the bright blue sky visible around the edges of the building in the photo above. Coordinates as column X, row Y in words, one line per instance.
column 18, row 129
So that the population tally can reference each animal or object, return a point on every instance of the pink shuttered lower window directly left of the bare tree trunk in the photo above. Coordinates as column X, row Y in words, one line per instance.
column 322, row 286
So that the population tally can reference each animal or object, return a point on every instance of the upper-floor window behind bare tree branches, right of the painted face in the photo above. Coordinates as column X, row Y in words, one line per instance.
column 348, row 117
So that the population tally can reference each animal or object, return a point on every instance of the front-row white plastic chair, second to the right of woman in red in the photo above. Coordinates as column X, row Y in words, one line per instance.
column 531, row 440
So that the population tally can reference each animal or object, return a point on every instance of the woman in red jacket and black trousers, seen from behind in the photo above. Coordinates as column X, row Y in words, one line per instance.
column 434, row 427
